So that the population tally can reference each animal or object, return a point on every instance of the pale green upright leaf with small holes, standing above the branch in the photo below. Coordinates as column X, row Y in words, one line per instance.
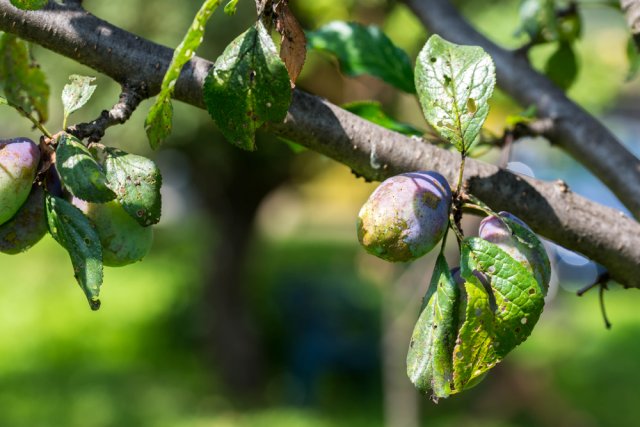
column 454, row 86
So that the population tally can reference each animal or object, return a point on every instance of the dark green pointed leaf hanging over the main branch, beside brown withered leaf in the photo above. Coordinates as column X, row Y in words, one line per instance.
column 248, row 86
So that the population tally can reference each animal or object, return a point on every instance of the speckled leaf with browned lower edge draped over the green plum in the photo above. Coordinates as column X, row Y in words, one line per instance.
column 136, row 181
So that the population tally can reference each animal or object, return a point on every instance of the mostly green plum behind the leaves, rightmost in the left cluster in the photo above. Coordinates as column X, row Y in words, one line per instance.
column 123, row 240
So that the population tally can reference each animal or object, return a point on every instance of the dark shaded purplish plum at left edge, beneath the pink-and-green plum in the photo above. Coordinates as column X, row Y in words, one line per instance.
column 27, row 226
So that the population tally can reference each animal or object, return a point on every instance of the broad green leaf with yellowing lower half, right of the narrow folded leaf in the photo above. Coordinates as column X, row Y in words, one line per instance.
column 499, row 314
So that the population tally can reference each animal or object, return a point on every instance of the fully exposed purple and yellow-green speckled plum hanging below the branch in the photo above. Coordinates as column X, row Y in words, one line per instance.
column 406, row 216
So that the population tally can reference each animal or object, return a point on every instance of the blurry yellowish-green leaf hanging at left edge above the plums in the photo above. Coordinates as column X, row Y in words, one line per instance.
column 23, row 82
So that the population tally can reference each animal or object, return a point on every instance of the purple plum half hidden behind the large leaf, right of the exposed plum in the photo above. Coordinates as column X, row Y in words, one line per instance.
column 524, row 247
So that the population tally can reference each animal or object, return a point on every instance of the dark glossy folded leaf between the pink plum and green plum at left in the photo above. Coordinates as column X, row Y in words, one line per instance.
column 80, row 172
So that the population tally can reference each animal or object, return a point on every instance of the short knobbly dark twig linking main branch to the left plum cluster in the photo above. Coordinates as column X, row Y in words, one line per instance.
column 130, row 98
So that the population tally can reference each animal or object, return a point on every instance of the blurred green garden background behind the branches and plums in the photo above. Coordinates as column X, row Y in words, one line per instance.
column 256, row 306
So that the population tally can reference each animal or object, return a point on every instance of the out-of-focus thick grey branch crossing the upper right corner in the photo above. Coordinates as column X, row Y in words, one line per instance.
column 575, row 130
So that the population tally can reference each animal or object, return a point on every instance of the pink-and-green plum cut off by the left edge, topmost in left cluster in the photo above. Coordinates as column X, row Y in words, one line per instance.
column 19, row 159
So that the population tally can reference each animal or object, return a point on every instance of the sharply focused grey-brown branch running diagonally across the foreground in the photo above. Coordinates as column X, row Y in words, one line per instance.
column 551, row 209
